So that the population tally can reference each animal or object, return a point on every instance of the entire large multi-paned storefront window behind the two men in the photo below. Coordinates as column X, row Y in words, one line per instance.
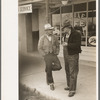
column 82, row 18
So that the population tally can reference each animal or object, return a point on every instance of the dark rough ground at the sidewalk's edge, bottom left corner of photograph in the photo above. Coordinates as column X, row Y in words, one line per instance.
column 26, row 93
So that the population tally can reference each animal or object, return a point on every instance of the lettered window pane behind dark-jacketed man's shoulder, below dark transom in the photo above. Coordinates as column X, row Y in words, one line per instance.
column 80, row 25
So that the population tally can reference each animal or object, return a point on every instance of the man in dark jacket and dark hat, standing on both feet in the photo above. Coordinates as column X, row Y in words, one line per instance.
column 71, row 50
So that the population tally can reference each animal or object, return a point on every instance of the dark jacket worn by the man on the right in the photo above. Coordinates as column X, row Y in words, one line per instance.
column 74, row 43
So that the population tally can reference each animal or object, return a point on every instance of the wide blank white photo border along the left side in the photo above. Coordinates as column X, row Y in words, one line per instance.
column 9, row 50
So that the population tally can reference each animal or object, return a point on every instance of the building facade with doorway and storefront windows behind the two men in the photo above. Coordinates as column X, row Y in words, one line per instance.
column 81, row 12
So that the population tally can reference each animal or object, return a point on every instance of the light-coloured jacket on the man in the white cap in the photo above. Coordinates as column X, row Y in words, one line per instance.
column 45, row 46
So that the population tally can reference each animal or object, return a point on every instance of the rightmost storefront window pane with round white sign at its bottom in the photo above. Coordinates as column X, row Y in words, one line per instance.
column 91, row 36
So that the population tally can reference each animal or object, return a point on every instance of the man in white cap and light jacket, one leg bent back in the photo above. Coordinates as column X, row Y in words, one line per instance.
column 48, row 46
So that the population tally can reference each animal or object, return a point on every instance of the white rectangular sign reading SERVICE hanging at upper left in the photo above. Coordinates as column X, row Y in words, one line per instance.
column 25, row 9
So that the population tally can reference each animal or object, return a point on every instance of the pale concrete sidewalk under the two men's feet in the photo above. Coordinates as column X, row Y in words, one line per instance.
column 32, row 74
